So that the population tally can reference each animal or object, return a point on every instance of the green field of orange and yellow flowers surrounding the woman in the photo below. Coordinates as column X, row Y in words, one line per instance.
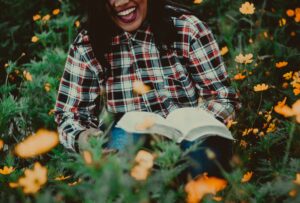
column 259, row 42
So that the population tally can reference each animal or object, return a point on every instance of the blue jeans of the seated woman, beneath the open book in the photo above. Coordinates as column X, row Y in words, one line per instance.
column 221, row 147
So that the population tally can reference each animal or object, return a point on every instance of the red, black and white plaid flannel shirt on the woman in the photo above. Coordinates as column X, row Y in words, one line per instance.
column 192, row 73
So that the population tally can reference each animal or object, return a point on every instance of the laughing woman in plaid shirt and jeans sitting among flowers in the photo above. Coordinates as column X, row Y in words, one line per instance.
column 164, row 46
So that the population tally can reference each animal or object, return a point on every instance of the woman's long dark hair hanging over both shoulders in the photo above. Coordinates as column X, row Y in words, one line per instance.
column 101, row 28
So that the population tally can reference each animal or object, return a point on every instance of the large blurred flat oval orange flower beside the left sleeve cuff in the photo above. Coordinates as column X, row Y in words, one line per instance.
column 40, row 142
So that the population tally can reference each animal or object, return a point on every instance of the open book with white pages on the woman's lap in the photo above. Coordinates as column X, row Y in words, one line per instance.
column 186, row 123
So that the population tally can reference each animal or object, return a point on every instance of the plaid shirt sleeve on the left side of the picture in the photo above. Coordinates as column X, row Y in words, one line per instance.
column 77, row 99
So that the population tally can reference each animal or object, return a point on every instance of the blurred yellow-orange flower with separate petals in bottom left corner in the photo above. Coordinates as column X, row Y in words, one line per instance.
column 33, row 179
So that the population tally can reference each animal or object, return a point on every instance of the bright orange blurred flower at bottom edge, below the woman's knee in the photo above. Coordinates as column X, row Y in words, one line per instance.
column 198, row 188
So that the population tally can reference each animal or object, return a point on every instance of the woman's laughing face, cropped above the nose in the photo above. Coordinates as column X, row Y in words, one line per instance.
column 128, row 14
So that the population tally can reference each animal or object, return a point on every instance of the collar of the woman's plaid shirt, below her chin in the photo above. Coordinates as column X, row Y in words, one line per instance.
column 142, row 35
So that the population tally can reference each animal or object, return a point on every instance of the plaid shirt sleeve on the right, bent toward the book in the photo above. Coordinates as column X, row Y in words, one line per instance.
column 209, row 73
